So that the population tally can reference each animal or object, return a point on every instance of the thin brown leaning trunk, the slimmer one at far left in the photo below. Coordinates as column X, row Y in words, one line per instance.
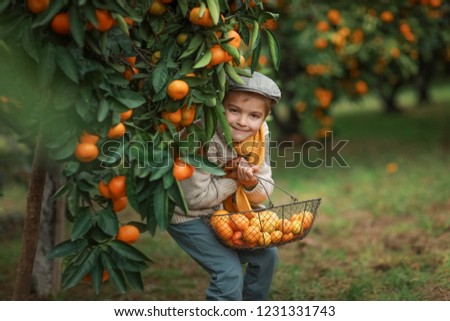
column 30, row 237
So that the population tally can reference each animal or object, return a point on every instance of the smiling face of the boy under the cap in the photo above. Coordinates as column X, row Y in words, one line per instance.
column 245, row 113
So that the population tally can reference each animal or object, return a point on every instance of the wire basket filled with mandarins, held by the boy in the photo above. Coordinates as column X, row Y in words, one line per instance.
column 265, row 227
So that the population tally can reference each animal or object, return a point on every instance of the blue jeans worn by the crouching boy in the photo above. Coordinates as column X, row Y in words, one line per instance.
column 228, row 281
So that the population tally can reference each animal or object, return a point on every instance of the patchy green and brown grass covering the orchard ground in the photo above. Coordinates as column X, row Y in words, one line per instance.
column 379, row 235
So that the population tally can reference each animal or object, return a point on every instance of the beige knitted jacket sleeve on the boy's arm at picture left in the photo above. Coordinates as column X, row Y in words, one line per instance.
column 204, row 190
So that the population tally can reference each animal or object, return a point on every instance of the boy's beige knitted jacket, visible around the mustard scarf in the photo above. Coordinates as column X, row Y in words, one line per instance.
column 204, row 192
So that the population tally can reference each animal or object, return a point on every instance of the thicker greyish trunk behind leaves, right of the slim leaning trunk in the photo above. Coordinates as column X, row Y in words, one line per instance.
column 46, row 273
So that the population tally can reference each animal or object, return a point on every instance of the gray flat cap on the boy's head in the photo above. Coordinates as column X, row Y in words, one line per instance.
column 259, row 84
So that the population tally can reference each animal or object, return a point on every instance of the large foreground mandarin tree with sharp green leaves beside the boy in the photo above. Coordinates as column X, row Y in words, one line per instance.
column 107, row 68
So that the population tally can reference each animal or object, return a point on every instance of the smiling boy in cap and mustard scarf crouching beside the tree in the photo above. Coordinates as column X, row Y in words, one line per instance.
column 246, row 108
